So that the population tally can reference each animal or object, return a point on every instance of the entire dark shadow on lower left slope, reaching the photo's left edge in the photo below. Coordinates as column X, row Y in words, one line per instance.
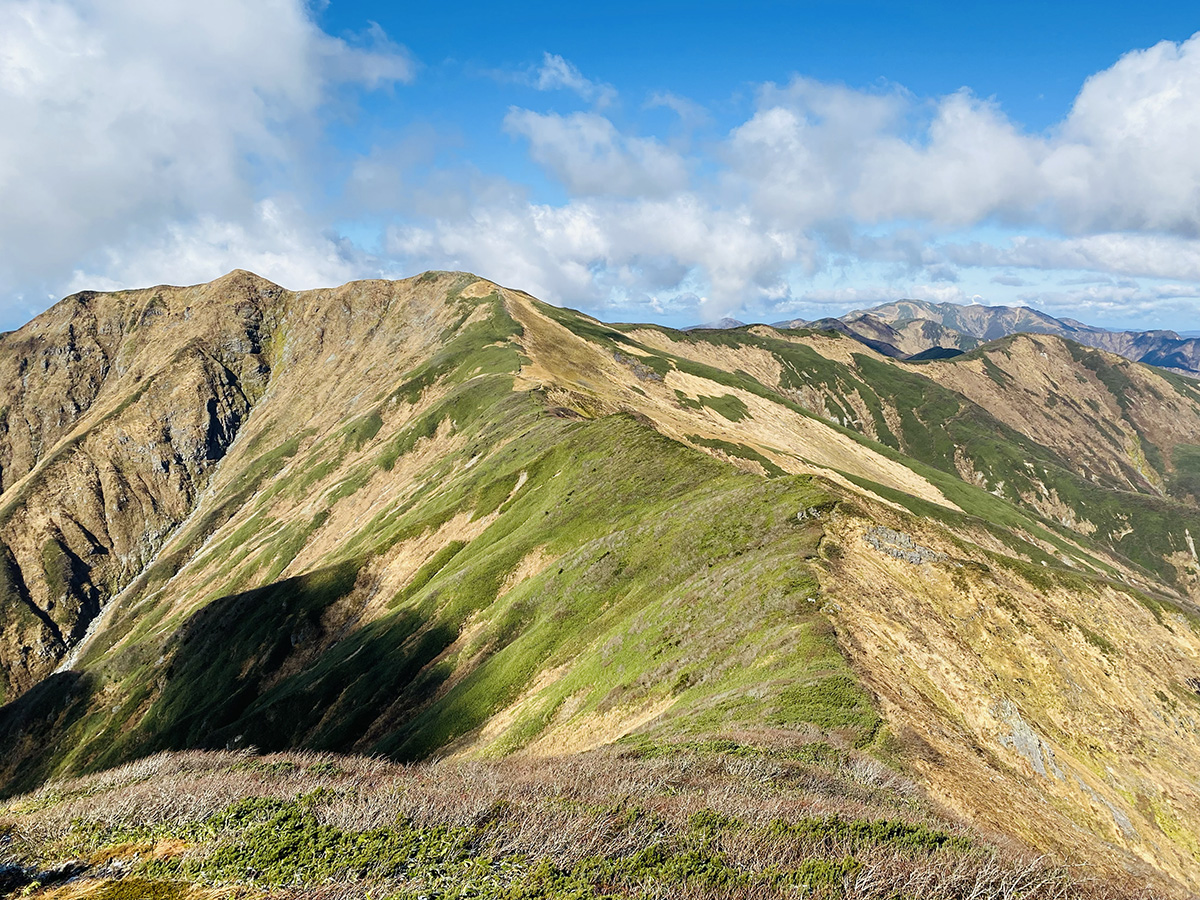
column 286, row 667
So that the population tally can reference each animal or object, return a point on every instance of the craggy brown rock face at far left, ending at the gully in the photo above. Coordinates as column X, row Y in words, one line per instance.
column 116, row 410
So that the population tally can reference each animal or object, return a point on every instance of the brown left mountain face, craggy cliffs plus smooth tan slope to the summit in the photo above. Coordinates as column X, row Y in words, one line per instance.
column 118, row 410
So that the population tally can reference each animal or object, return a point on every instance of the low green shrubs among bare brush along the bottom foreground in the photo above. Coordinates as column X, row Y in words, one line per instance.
column 280, row 844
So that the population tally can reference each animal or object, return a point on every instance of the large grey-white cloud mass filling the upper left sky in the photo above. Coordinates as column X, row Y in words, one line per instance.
column 129, row 122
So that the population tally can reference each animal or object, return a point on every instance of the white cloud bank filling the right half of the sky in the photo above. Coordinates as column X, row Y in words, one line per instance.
column 827, row 177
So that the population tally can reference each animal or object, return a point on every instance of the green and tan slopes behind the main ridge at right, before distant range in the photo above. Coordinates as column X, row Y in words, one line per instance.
column 1109, row 482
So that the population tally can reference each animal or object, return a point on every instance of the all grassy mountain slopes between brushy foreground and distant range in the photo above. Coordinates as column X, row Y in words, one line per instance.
column 443, row 519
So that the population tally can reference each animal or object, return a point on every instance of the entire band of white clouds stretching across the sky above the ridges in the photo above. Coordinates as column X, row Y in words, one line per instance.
column 164, row 142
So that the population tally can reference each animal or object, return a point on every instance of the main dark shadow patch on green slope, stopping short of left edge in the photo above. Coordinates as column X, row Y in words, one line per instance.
column 285, row 667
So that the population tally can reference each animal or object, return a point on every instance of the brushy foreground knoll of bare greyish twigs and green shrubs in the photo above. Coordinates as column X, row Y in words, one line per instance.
column 705, row 821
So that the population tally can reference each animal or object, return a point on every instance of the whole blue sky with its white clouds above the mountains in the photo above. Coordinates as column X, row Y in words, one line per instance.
column 665, row 161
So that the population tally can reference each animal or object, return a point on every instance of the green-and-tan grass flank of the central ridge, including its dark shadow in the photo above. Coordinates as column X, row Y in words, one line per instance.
column 626, row 577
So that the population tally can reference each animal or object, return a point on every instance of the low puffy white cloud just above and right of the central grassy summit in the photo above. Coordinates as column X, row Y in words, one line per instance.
column 597, row 251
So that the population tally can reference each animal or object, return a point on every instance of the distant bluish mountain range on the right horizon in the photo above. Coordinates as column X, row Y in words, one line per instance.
column 909, row 329
